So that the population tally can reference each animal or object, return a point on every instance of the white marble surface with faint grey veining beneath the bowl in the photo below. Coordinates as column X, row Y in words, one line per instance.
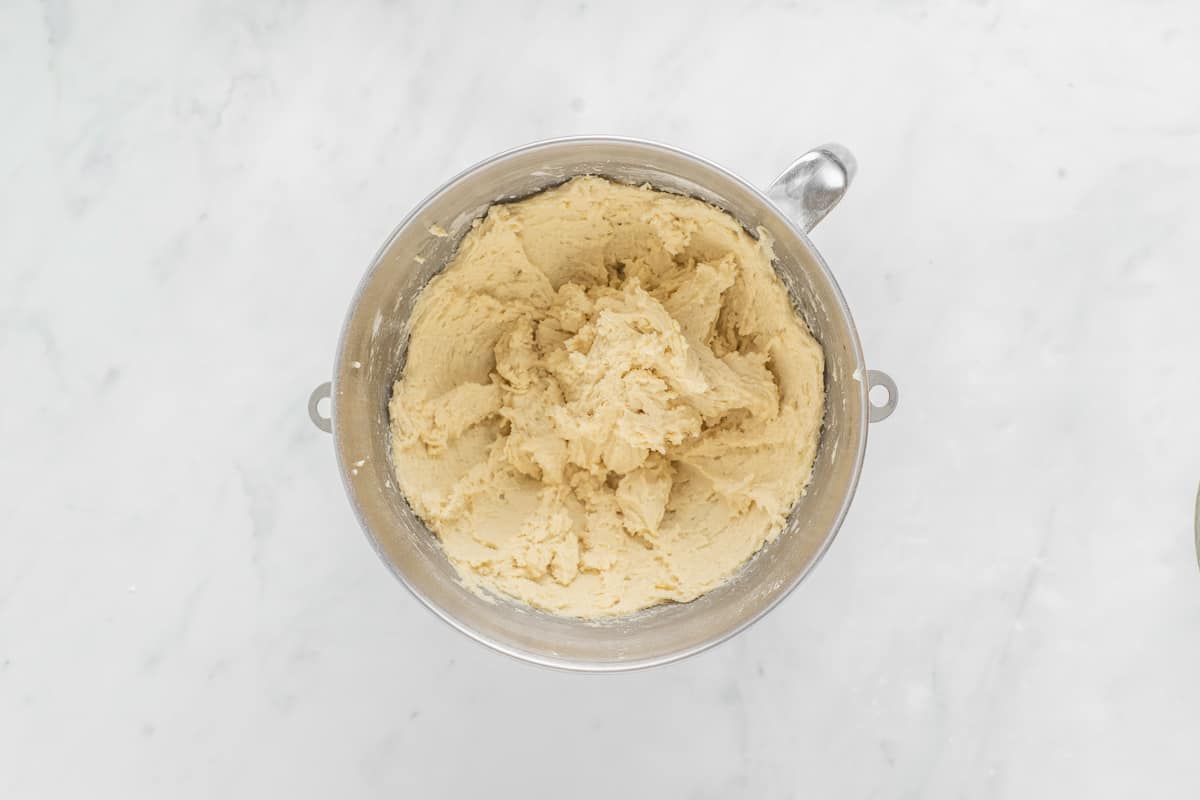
column 190, row 194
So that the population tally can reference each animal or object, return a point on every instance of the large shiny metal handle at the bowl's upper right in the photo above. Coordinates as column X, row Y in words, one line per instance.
column 814, row 184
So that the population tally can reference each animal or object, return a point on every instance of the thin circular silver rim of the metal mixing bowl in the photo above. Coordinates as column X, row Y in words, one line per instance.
column 541, row 659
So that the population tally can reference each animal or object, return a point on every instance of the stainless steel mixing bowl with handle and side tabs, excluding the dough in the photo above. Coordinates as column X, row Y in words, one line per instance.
column 373, row 350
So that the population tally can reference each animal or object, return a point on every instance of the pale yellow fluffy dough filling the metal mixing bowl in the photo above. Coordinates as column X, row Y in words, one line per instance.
column 609, row 401
